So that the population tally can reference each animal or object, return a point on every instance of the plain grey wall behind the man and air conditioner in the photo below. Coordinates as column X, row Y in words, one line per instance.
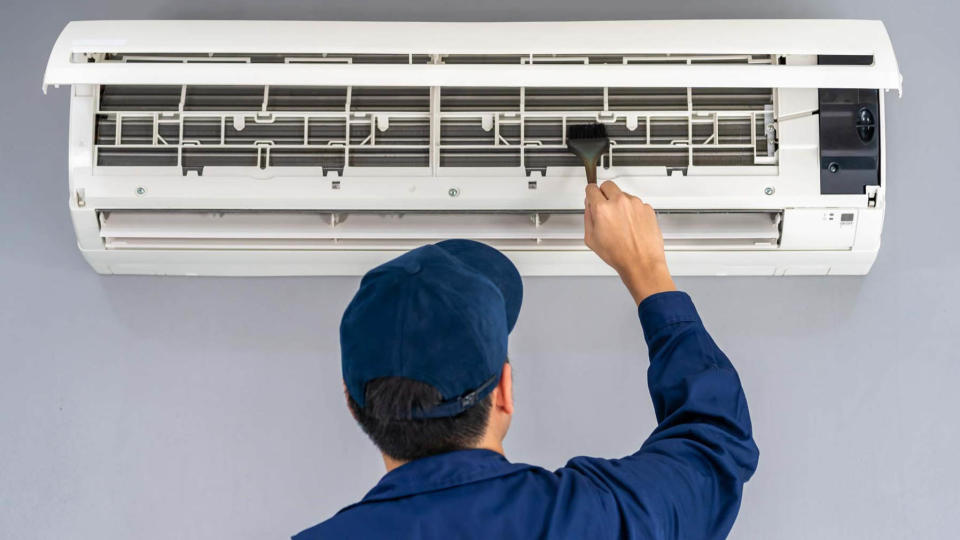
column 161, row 408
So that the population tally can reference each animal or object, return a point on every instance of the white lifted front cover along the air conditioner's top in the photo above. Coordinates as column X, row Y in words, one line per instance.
column 351, row 53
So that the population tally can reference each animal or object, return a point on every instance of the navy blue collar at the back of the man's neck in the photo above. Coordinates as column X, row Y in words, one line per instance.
column 441, row 471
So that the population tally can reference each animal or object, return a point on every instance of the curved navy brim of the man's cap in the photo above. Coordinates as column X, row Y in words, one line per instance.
column 493, row 265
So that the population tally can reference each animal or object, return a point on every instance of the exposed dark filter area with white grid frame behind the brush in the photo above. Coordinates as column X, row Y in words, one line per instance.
column 434, row 129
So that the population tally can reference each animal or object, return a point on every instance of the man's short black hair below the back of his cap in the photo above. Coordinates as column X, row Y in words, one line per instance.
column 386, row 419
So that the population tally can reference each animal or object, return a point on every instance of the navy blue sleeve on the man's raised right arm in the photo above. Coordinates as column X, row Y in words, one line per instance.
column 686, row 480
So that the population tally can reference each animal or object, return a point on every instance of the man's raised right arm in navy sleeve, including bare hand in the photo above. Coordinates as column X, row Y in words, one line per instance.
column 686, row 480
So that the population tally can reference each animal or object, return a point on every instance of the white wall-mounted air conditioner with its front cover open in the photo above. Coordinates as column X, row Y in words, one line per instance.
column 300, row 148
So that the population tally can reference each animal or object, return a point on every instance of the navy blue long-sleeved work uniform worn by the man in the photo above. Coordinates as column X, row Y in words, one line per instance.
column 685, row 481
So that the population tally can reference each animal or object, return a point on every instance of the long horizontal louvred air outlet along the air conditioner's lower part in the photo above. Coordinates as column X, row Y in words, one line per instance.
column 147, row 229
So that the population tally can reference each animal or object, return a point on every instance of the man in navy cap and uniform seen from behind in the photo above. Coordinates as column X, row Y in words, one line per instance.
column 424, row 347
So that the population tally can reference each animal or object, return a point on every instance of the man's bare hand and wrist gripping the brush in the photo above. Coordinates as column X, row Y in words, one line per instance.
column 623, row 231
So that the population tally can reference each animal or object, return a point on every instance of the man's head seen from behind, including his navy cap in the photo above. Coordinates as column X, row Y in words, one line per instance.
column 424, row 345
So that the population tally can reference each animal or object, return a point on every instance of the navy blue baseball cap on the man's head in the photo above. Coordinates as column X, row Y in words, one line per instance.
column 439, row 314
